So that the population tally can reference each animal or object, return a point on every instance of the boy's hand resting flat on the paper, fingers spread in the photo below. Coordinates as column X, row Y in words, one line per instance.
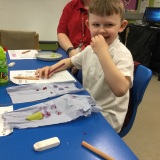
column 43, row 72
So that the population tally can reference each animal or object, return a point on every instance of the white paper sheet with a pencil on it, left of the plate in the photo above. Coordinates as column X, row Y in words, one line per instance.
column 20, row 54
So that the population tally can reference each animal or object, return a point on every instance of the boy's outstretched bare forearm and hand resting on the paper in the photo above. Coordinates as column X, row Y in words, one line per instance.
column 47, row 71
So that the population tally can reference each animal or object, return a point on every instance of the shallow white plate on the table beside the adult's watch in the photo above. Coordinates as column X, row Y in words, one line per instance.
column 48, row 56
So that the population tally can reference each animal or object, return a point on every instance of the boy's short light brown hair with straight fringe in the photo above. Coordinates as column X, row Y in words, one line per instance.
column 107, row 8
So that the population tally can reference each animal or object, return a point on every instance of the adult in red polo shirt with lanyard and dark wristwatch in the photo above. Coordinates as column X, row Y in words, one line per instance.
column 73, row 35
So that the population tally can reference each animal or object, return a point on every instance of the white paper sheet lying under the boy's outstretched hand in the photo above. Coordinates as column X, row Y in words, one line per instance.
column 63, row 76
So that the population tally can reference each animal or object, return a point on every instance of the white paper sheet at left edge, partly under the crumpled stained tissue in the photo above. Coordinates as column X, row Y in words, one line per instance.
column 3, row 131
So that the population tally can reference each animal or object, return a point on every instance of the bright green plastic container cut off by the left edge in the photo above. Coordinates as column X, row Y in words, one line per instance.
column 3, row 68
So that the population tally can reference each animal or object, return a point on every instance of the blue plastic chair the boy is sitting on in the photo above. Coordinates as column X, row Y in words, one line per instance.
column 142, row 77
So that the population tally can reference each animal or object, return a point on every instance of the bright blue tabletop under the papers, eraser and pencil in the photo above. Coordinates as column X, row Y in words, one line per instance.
column 94, row 130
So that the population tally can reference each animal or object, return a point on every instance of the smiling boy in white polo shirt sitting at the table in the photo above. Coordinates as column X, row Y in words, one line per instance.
column 107, row 65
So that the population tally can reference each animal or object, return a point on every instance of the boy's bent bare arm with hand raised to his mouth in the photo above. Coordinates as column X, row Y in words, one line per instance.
column 118, row 83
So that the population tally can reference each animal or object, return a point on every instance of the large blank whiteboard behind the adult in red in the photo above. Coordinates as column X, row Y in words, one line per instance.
column 41, row 16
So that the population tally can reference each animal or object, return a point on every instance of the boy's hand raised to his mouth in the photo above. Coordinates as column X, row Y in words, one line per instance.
column 99, row 44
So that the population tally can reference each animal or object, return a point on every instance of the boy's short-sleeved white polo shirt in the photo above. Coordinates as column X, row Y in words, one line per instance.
column 114, row 108
